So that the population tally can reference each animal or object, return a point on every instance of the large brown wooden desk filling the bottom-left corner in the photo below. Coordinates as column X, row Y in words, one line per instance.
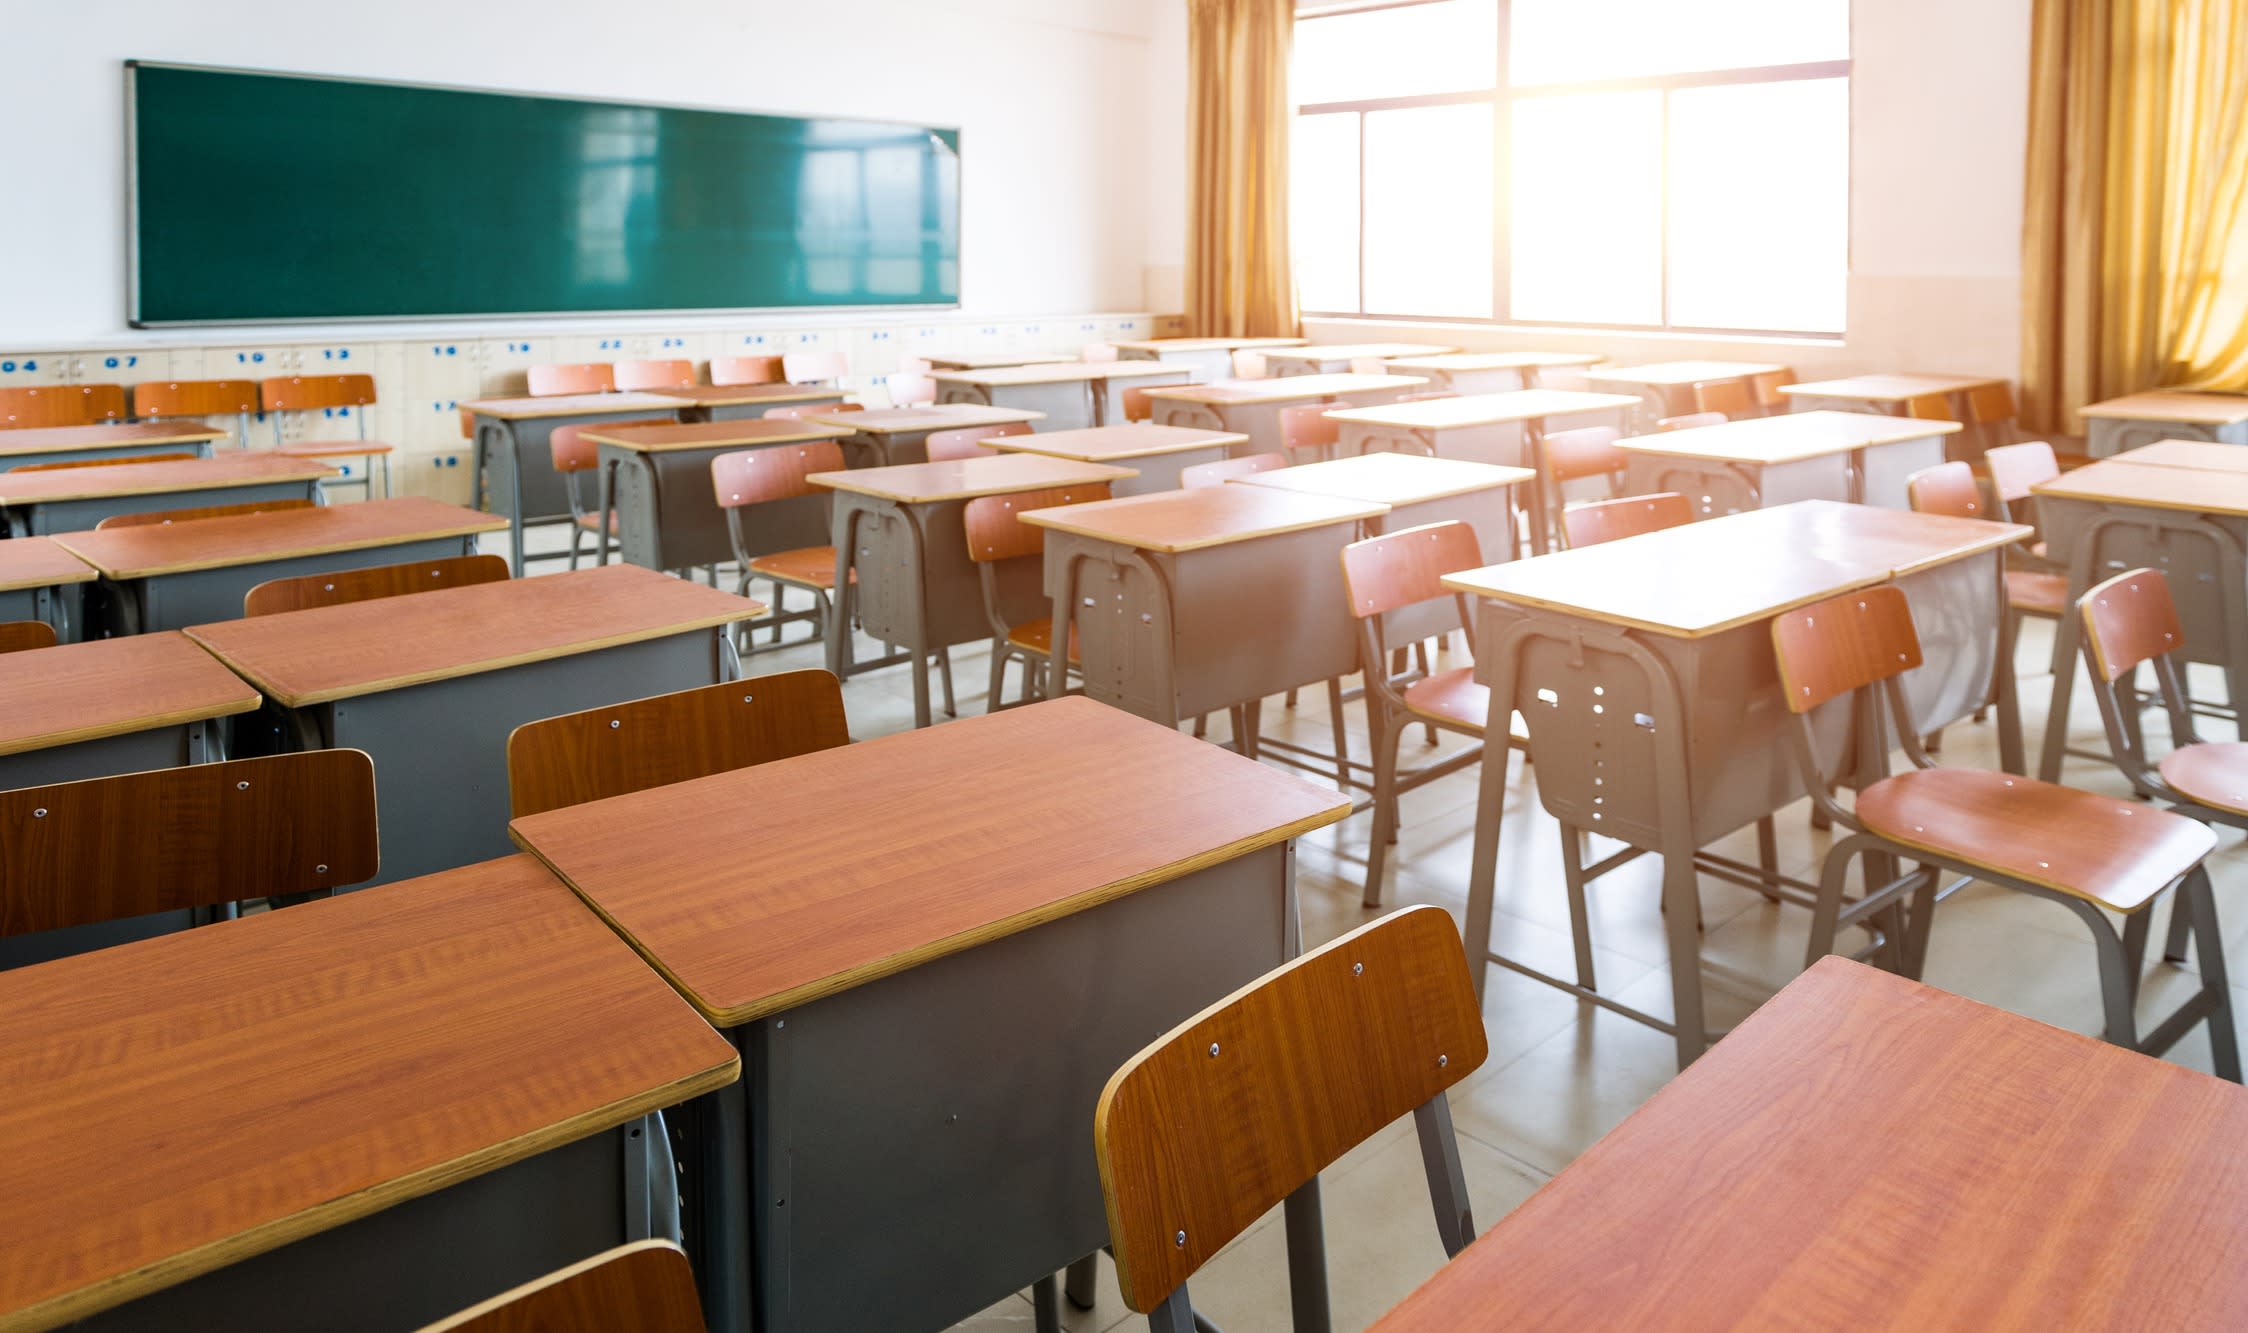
column 354, row 1114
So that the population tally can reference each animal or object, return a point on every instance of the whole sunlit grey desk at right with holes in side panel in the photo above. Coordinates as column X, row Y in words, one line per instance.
column 1647, row 680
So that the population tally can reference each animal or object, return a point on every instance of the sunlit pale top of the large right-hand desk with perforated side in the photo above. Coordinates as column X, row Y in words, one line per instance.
column 1721, row 574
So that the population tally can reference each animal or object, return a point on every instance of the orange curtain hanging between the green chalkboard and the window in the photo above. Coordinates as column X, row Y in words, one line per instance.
column 1238, row 127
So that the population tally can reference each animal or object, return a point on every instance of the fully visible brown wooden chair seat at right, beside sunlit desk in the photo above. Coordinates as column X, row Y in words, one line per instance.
column 2099, row 849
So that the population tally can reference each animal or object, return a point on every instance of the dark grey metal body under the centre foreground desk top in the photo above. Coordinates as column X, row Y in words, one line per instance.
column 907, row 1152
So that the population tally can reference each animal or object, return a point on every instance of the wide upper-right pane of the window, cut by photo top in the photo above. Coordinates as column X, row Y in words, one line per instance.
column 1577, row 42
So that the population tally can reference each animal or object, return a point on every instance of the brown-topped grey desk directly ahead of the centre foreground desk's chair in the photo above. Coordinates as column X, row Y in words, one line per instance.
column 435, row 682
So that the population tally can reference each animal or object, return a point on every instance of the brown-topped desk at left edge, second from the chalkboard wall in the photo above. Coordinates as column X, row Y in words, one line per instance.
column 80, row 498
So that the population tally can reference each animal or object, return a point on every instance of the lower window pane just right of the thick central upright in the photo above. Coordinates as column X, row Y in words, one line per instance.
column 1586, row 215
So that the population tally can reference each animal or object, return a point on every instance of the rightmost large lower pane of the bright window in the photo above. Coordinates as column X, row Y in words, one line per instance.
column 1761, row 206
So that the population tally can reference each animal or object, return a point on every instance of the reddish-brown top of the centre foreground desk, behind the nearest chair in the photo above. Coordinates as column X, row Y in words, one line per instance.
column 1073, row 804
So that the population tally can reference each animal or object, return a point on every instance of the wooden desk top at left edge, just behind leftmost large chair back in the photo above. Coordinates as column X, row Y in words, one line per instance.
column 111, row 687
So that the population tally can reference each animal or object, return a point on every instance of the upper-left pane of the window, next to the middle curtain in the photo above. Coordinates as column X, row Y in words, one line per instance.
column 1397, row 53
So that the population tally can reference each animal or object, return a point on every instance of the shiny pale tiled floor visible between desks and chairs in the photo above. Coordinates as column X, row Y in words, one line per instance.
column 1563, row 1073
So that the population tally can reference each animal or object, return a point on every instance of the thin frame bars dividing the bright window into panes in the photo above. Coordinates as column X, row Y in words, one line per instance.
column 1503, row 98
